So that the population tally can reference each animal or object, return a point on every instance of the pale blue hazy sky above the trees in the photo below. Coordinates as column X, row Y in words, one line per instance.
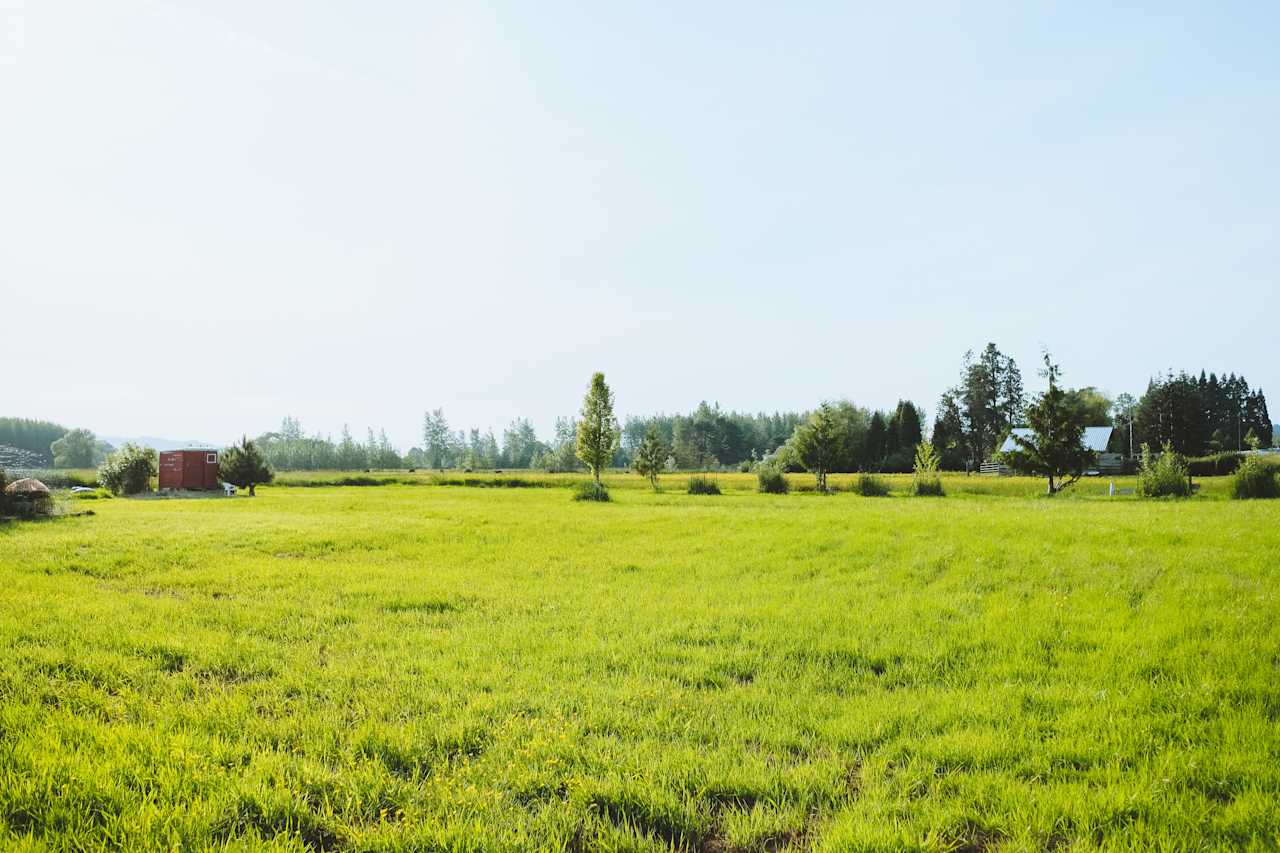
column 214, row 215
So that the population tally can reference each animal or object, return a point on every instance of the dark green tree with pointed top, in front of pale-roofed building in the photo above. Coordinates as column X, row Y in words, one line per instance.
column 1055, row 449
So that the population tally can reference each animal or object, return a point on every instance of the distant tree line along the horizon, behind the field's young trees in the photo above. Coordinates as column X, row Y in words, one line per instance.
column 1192, row 416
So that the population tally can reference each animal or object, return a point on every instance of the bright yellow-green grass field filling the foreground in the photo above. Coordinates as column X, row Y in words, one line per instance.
column 455, row 669
